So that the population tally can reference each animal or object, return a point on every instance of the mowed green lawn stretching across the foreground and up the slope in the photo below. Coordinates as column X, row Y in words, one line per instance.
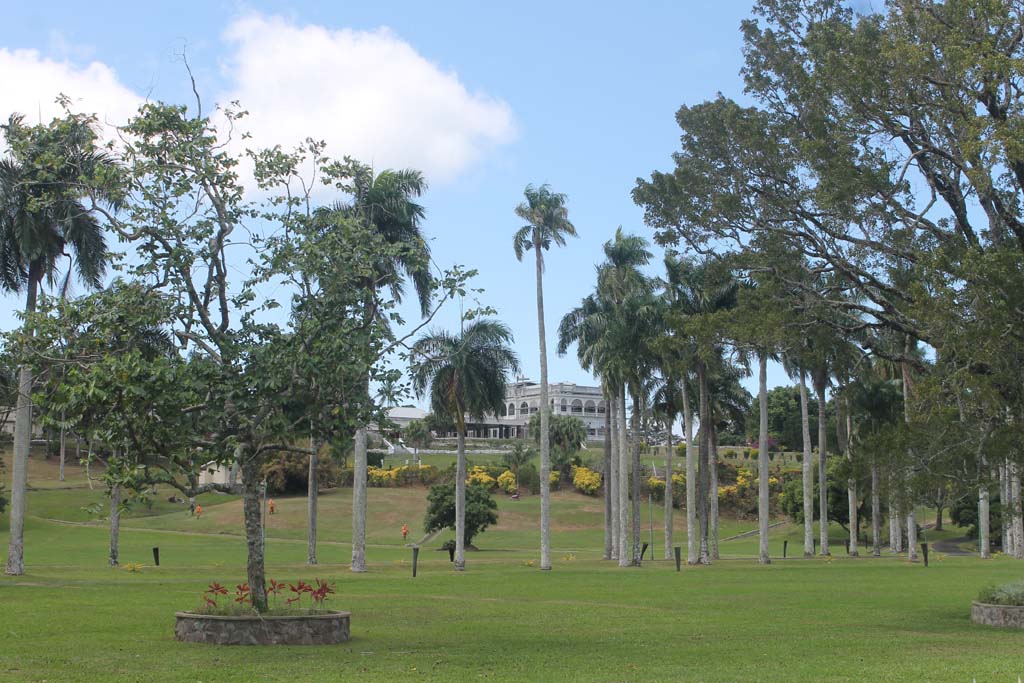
column 71, row 619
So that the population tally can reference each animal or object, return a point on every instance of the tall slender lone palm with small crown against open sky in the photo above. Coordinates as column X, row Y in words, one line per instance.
column 547, row 224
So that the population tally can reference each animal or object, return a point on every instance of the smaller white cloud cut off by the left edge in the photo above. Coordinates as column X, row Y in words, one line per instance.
column 32, row 83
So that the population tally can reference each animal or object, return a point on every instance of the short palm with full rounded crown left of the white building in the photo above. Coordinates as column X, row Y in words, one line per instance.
column 466, row 375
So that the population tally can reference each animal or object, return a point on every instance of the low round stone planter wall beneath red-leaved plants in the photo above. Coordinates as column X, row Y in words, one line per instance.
column 326, row 629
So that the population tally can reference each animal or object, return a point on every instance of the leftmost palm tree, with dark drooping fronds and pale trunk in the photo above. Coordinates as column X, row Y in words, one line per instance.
column 44, row 220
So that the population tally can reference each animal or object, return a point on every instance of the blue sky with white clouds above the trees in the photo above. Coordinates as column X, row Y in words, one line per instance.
column 483, row 98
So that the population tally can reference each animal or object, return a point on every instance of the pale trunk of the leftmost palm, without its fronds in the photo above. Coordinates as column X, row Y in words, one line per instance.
column 23, row 445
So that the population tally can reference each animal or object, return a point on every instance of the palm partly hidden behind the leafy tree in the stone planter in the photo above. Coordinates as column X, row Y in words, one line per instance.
column 386, row 204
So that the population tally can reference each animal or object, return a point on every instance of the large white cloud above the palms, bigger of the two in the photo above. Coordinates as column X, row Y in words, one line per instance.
column 368, row 95
